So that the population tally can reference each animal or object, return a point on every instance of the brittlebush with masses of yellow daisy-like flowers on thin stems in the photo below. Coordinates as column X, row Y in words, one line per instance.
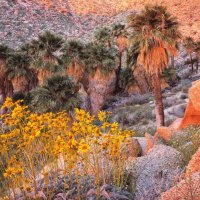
column 34, row 145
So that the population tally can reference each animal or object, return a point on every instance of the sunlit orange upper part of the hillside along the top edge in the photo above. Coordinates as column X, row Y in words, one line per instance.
column 187, row 11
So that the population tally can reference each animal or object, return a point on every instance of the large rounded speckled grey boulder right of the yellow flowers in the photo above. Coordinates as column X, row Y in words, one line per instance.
column 155, row 173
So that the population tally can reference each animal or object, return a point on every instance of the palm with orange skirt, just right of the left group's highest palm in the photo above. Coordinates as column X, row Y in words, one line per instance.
column 73, row 57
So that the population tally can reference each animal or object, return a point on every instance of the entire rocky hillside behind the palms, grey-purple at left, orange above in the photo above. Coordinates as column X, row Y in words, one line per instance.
column 22, row 20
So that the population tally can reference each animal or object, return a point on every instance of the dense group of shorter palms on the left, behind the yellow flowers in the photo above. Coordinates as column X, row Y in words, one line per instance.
column 38, row 70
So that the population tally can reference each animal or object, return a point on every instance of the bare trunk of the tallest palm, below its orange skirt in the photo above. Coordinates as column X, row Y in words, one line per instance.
column 159, row 108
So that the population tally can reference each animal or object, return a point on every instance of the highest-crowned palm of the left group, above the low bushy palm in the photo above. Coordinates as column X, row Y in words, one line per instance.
column 47, row 60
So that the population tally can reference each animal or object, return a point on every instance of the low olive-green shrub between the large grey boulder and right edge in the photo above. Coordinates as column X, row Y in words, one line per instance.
column 187, row 142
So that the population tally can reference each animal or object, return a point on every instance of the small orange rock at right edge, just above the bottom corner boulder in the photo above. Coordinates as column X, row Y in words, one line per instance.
column 194, row 164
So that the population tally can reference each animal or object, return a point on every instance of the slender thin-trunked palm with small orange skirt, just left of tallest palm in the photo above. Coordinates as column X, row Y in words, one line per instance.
column 119, row 34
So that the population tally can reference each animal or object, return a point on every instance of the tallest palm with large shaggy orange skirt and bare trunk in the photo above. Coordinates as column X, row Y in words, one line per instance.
column 156, row 30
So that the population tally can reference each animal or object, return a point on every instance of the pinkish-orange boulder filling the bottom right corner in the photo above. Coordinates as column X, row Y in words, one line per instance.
column 185, row 189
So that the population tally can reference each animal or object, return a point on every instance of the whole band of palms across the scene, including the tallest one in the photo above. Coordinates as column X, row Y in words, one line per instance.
column 43, row 65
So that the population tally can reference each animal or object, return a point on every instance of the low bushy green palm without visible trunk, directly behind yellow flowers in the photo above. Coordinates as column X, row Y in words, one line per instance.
column 57, row 94
